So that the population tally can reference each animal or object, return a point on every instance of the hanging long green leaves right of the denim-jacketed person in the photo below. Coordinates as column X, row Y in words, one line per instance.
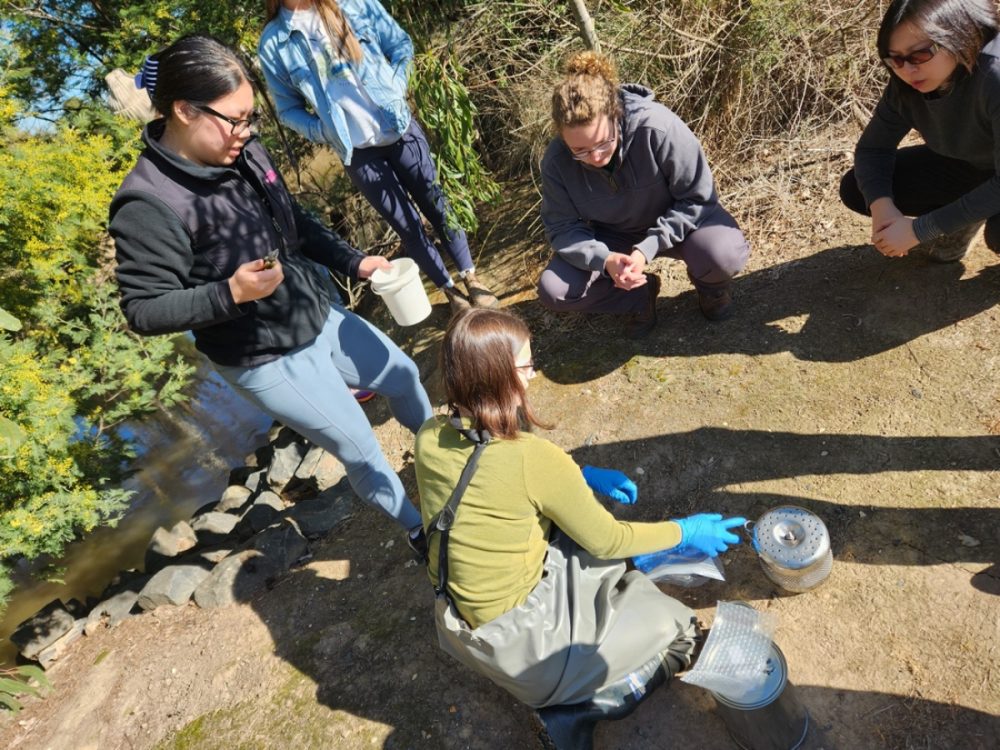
column 449, row 114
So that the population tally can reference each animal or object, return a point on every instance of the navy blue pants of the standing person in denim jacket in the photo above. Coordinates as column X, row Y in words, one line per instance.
column 395, row 177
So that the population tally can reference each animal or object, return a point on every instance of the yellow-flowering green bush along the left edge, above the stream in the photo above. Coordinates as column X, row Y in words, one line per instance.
column 73, row 370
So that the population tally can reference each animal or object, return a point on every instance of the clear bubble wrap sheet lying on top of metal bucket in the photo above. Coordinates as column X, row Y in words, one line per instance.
column 733, row 661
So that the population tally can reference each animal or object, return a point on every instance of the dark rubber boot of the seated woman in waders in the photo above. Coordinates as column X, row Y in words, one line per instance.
column 572, row 727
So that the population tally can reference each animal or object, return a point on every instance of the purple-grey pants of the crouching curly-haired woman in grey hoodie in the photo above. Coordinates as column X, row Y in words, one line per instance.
column 713, row 253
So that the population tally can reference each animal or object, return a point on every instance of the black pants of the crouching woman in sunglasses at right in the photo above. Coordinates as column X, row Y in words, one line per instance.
column 924, row 181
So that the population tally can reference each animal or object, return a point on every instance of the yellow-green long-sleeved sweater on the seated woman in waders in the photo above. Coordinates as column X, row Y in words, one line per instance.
column 502, row 528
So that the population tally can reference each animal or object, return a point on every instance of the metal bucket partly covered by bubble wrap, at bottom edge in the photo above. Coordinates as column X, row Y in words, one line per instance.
column 769, row 718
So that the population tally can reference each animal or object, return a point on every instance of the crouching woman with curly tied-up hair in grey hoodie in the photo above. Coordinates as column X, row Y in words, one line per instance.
column 624, row 182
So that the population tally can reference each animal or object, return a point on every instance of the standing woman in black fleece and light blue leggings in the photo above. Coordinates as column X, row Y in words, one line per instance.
column 209, row 240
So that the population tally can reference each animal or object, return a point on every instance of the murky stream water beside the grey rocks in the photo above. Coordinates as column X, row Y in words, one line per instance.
column 185, row 458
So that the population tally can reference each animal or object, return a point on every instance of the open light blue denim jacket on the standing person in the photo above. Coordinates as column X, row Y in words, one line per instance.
column 301, row 99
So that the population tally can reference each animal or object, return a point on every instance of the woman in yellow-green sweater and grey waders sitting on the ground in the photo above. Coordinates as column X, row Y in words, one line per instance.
column 532, row 589
